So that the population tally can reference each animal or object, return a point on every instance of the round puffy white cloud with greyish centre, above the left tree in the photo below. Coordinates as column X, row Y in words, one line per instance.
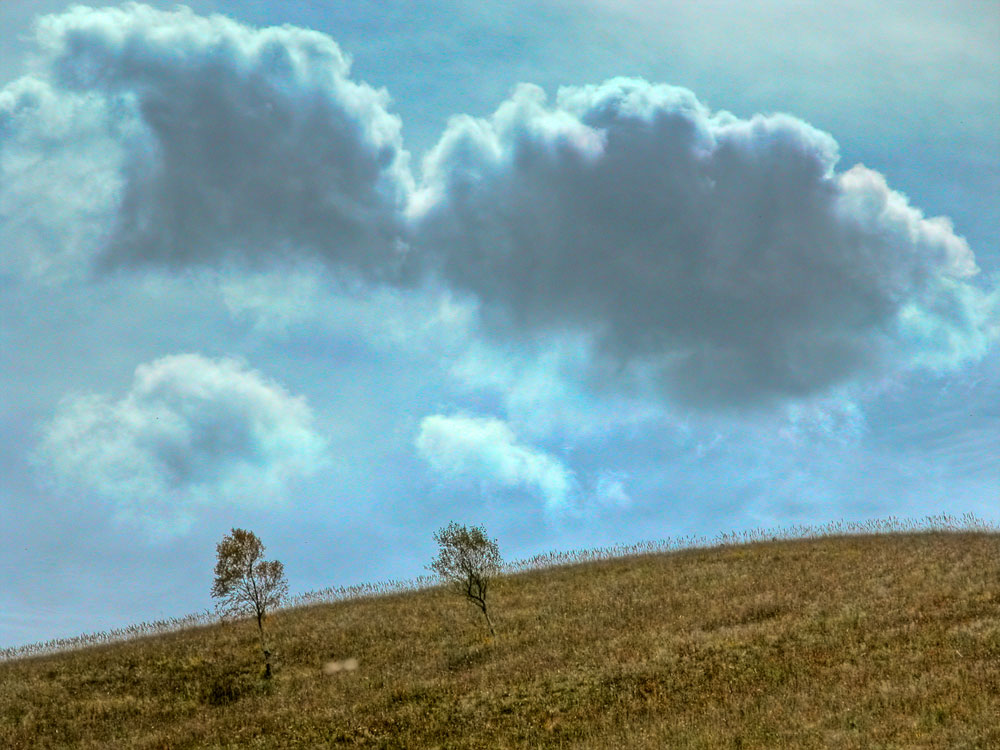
column 191, row 431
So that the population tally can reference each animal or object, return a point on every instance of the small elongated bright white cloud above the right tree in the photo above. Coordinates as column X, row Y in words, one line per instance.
column 486, row 449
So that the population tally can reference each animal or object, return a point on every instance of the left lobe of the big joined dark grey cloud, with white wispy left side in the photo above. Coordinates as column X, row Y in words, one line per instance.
column 227, row 140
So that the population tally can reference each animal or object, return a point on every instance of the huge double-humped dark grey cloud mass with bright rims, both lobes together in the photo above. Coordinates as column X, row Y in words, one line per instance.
column 721, row 261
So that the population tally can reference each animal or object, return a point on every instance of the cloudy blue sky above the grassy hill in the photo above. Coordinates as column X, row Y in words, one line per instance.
column 582, row 272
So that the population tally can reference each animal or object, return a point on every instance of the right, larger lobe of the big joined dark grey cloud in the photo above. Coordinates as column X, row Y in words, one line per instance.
column 724, row 260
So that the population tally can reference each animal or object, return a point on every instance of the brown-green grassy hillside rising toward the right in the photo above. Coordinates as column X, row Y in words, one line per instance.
column 866, row 642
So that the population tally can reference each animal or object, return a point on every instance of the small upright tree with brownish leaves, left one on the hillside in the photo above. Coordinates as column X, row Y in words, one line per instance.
column 245, row 583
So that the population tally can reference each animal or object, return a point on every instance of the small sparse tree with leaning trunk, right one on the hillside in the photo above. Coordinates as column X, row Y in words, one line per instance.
column 468, row 561
